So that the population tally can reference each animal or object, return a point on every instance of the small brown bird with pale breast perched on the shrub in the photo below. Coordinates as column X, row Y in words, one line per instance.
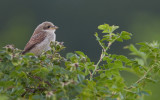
column 41, row 38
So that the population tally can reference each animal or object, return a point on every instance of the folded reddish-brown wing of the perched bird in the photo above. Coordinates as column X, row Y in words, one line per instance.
column 35, row 39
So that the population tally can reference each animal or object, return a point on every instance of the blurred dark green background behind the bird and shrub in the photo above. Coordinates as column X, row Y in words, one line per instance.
column 78, row 20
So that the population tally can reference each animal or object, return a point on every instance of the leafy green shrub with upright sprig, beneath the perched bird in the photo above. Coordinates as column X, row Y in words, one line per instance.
column 75, row 77
